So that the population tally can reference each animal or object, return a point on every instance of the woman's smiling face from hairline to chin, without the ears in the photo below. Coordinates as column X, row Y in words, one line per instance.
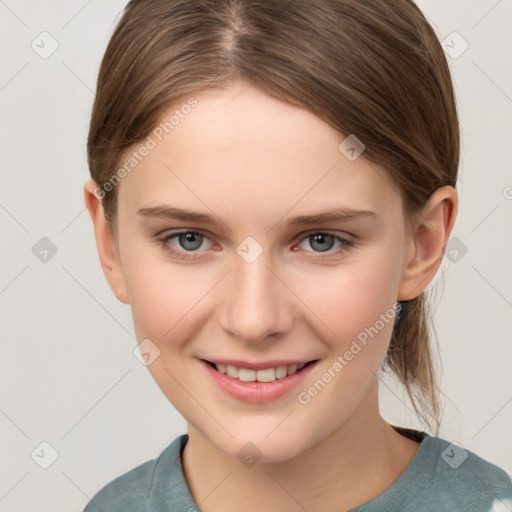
column 252, row 287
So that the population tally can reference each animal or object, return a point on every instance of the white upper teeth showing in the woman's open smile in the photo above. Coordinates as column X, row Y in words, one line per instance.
column 262, row 374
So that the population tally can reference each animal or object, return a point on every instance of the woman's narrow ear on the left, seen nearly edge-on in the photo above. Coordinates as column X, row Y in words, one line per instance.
column 105, row 241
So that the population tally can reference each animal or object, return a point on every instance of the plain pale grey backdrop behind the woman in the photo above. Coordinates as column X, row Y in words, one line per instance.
column 68, row 374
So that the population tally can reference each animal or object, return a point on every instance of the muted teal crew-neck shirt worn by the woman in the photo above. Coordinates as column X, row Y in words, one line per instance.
column 442, row 477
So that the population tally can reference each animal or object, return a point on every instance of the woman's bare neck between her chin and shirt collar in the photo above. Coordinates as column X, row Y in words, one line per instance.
column 347, row 468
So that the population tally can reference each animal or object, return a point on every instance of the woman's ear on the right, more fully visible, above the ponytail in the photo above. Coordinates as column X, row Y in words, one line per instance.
column 427, row 242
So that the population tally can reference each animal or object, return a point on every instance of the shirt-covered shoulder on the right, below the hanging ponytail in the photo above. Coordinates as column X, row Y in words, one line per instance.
column 461, row 478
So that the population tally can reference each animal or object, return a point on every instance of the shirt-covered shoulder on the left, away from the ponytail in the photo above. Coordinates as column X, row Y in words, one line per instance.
column 131, row 490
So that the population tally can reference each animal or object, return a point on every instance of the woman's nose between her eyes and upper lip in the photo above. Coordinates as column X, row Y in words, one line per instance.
column 256, row 302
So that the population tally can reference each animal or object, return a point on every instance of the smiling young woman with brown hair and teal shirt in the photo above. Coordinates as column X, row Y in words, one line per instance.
column 273, row 188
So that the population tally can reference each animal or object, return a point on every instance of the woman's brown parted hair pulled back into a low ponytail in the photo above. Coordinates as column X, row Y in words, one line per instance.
column 372, row 68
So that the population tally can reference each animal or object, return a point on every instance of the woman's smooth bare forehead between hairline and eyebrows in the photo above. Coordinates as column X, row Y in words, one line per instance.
column 243, row 151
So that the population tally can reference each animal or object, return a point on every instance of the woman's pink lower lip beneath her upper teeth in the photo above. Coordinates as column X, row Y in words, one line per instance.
column 257, row 392
